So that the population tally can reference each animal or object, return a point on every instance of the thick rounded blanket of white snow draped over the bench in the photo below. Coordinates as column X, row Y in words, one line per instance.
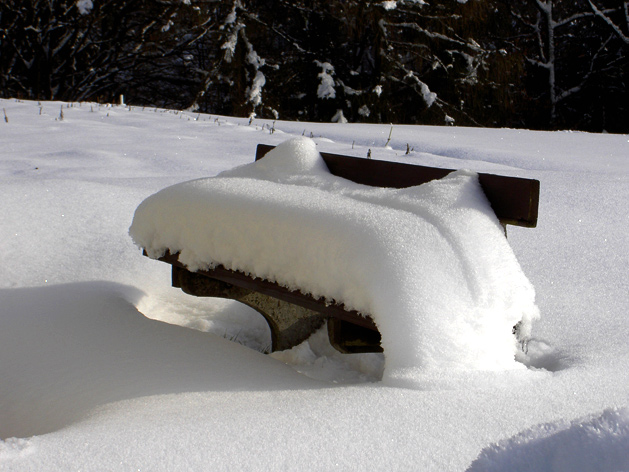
column 429, row 263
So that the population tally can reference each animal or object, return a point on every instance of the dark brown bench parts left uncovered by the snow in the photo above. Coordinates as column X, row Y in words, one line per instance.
column 293, row 316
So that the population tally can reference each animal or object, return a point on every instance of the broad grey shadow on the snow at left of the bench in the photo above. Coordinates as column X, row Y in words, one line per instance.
column 67, row 349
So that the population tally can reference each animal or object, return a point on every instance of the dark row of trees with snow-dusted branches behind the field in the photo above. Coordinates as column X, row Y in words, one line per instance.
column 541, row 64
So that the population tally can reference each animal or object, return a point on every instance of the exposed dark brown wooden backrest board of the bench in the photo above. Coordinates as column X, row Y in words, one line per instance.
column 514, row 200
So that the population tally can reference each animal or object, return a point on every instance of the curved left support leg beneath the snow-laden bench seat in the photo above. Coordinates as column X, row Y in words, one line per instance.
column 290, row 324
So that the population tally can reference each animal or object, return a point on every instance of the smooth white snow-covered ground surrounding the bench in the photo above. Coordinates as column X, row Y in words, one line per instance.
column 99, row 369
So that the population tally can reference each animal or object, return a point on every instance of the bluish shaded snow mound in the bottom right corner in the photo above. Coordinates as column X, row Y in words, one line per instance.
column 598, row 443
